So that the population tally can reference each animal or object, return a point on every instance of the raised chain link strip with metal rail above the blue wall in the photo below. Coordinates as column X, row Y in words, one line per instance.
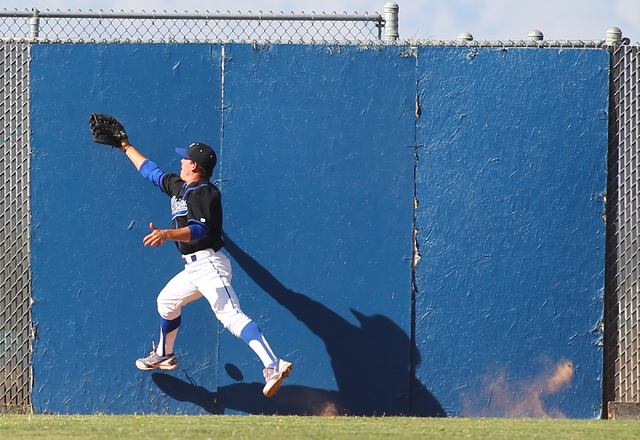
column 204, row 27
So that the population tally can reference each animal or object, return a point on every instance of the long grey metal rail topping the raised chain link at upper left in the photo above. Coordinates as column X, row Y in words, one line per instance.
column 164, row 15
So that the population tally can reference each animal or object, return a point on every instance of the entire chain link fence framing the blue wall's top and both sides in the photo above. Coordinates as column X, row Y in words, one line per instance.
column 20, row 29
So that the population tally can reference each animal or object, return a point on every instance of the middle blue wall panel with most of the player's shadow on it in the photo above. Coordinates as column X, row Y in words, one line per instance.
column 314, row 159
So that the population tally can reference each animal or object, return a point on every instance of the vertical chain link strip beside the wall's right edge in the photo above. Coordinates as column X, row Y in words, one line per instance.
column 621, row 294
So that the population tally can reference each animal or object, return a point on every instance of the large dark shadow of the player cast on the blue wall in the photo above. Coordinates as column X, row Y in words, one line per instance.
column 369, row 361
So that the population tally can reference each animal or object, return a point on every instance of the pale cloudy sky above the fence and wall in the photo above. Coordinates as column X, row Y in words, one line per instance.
column 486, row 20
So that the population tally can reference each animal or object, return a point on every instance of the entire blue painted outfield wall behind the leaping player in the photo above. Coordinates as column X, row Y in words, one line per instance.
column 325, row 170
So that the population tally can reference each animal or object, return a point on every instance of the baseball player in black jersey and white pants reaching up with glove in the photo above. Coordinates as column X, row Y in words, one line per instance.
column 196, row 214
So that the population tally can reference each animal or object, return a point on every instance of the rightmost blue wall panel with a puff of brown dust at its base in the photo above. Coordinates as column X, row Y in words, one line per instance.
column 510, row 186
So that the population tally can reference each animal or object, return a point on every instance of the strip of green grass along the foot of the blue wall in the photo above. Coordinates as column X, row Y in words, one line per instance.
column 286, row 428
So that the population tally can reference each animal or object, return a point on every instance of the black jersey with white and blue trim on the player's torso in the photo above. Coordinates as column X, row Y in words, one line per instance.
column 197, row 204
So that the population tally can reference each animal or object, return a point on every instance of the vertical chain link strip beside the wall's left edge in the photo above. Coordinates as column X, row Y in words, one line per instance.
column 15, row 298
